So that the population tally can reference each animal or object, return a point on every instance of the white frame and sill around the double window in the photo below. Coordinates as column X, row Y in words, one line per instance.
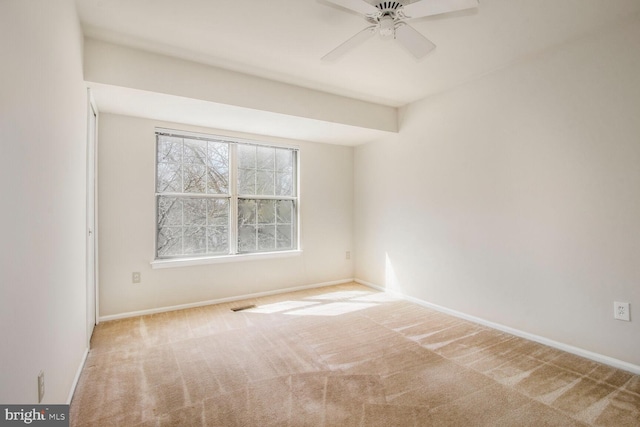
column 233, row 197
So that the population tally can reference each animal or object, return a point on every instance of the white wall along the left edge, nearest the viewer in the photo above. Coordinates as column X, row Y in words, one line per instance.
column 43, row 216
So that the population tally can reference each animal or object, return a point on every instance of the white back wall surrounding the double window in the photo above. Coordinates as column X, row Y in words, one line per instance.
column 127, row 226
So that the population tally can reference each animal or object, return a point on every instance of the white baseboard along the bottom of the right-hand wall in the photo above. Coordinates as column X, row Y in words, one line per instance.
column 626, row 366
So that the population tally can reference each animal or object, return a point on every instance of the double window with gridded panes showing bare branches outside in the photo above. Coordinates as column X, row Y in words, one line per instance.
column 222, row 196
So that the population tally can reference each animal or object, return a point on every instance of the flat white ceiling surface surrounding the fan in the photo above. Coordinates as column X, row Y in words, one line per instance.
column 284, row 40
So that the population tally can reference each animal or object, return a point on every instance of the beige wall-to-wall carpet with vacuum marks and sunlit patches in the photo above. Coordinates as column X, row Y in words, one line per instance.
column 338, row 356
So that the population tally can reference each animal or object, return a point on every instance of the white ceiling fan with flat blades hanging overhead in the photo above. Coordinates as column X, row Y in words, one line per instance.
column 388, row 18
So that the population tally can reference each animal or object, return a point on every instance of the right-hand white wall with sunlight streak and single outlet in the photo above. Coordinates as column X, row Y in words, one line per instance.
column 516, row 198
